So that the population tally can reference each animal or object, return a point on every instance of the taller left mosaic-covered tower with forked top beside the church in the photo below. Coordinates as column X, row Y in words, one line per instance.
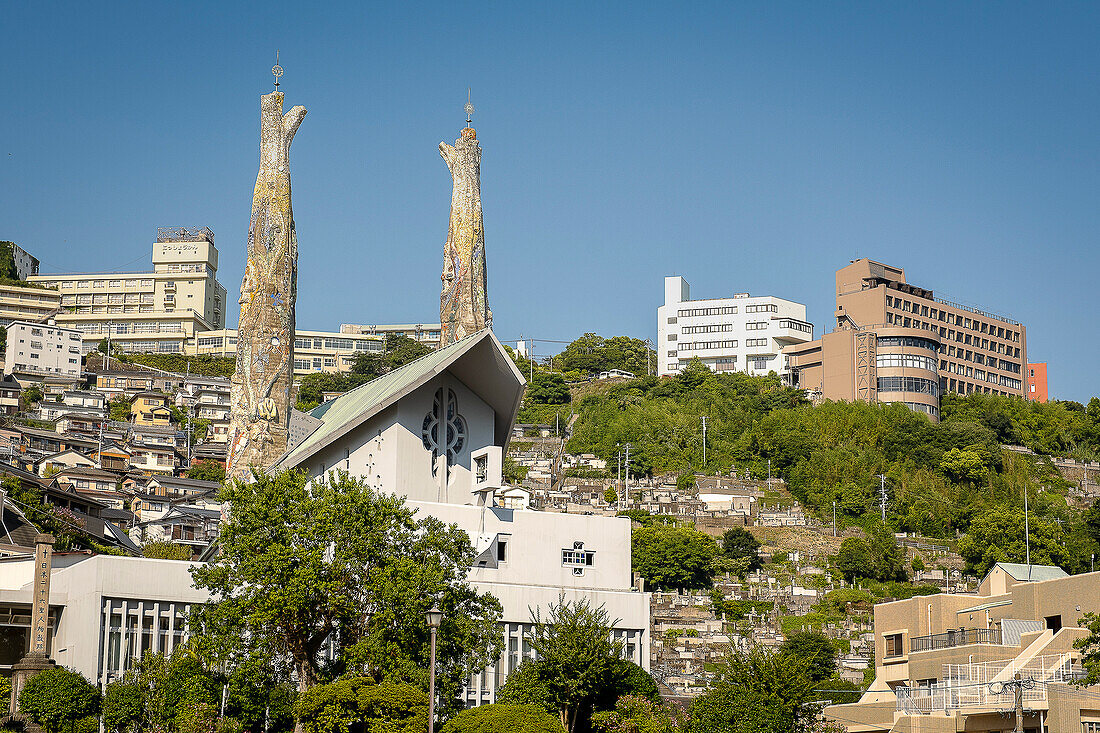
column 260, row 396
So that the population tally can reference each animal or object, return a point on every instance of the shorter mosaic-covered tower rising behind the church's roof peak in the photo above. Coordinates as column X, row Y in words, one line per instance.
column 464, row 303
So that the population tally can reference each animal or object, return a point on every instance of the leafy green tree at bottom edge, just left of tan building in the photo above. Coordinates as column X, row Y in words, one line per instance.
column 755, row 692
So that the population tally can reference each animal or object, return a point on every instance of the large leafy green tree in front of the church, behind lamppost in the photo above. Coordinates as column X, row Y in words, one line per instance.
column 334, row 564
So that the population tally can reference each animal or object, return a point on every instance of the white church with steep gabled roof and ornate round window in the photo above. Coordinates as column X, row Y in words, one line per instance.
column 435, row 432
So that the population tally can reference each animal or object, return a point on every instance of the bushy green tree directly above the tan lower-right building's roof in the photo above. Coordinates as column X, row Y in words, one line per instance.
column 998, row 537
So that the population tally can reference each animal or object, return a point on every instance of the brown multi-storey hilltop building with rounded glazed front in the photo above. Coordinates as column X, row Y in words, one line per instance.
column 898, row 343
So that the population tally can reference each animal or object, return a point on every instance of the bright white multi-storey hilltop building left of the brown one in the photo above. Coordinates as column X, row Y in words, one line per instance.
column 740, row 334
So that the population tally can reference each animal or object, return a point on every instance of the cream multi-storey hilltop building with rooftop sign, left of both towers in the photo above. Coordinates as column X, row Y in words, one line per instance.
column 149, row 312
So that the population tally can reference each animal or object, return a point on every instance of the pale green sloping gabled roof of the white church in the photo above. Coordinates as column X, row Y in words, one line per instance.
column 350, row 410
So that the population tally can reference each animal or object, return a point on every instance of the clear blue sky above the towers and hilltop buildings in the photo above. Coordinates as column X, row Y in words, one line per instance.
column 747, row 147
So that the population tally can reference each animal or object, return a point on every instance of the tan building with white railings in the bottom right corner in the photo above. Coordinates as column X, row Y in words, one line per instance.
column 950, row 662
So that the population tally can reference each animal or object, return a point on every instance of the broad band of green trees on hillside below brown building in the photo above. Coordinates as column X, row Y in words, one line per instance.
column 942, row 480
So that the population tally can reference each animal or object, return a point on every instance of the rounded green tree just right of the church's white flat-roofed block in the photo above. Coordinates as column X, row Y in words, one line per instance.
column 673, row 557
